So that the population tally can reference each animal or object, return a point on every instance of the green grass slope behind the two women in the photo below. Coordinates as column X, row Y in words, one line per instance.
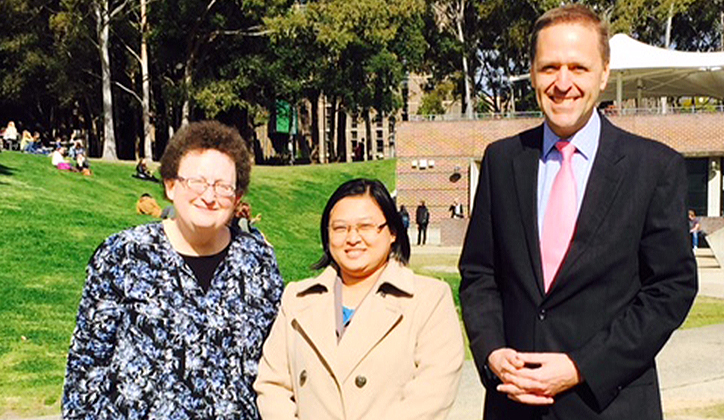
column 52, row 221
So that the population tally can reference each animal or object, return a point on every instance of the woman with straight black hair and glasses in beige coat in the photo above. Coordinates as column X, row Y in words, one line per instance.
column 366, row 339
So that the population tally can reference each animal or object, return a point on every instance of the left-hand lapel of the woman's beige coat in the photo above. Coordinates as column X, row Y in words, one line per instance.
column 315, row 319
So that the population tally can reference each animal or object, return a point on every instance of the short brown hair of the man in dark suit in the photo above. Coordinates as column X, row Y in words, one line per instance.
column 572, row 13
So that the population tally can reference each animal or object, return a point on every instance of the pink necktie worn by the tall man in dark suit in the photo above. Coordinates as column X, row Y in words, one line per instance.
column 560, row 216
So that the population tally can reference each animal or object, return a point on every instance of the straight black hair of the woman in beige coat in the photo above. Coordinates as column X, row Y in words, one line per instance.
column 400, row 249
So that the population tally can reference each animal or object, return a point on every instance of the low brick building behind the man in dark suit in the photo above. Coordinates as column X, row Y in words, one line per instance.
column 438, row 161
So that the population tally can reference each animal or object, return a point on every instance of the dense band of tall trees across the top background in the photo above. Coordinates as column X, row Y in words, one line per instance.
column 233, row 60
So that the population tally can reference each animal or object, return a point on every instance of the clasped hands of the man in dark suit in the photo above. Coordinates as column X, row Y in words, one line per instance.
column 533, row 378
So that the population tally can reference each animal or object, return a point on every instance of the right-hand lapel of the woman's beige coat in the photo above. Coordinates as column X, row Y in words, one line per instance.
column 378, row 314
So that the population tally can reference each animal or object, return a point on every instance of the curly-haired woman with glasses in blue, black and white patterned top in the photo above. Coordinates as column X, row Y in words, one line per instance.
column 173, row 314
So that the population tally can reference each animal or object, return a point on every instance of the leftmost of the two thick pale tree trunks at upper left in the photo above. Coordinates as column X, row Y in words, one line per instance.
column 102, row 27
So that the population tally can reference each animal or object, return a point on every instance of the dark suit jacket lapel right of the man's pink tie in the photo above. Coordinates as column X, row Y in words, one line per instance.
column 603, row 185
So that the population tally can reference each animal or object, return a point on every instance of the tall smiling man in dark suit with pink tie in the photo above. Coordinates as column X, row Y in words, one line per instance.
column 576, row 266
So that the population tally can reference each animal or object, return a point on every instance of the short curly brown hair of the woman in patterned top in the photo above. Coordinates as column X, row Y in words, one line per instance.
column 208, row 135
